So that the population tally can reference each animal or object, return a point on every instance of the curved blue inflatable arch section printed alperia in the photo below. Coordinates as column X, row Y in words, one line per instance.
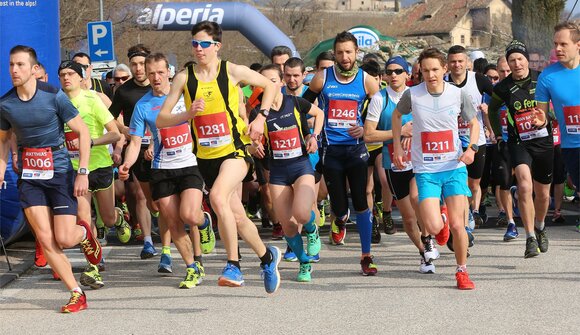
column 230, row 15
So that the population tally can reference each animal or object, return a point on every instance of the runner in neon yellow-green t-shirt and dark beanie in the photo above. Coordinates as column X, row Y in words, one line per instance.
column 97, row 118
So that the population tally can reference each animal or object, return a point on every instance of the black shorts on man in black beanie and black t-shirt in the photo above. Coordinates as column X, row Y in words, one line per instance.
column 537, row 155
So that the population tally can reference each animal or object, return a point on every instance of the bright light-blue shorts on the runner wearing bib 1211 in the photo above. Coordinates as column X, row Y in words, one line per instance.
column 446, row 183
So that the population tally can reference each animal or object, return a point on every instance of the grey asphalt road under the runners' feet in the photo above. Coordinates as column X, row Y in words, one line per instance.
column 512, row 296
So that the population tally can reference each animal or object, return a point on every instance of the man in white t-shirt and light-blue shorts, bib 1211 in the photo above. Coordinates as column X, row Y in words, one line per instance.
column 436, row 153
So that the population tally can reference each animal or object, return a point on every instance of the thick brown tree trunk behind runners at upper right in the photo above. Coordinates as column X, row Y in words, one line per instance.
column 533, row 21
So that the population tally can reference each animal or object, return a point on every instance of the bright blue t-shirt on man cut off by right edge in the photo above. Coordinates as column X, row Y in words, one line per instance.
column 562, row 86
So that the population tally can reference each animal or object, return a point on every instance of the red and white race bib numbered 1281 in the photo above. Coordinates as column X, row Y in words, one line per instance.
column 212, row 130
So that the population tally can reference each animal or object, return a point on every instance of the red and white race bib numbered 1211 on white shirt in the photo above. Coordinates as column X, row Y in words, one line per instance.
column 438, row 146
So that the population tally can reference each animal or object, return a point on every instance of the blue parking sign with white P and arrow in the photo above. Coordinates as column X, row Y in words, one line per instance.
column 100, row 38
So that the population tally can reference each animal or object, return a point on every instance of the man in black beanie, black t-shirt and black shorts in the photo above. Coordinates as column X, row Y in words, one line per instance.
column 530, row 144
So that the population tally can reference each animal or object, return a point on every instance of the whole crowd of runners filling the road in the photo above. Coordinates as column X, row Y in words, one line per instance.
column 197, row 152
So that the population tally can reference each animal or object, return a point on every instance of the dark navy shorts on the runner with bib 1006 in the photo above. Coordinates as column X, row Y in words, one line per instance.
column 56, row 193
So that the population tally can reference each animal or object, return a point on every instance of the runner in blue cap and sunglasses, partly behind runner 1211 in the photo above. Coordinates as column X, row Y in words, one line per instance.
column 402, row 182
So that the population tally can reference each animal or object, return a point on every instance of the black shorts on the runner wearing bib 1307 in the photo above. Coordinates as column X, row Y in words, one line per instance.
column 167, row 182
